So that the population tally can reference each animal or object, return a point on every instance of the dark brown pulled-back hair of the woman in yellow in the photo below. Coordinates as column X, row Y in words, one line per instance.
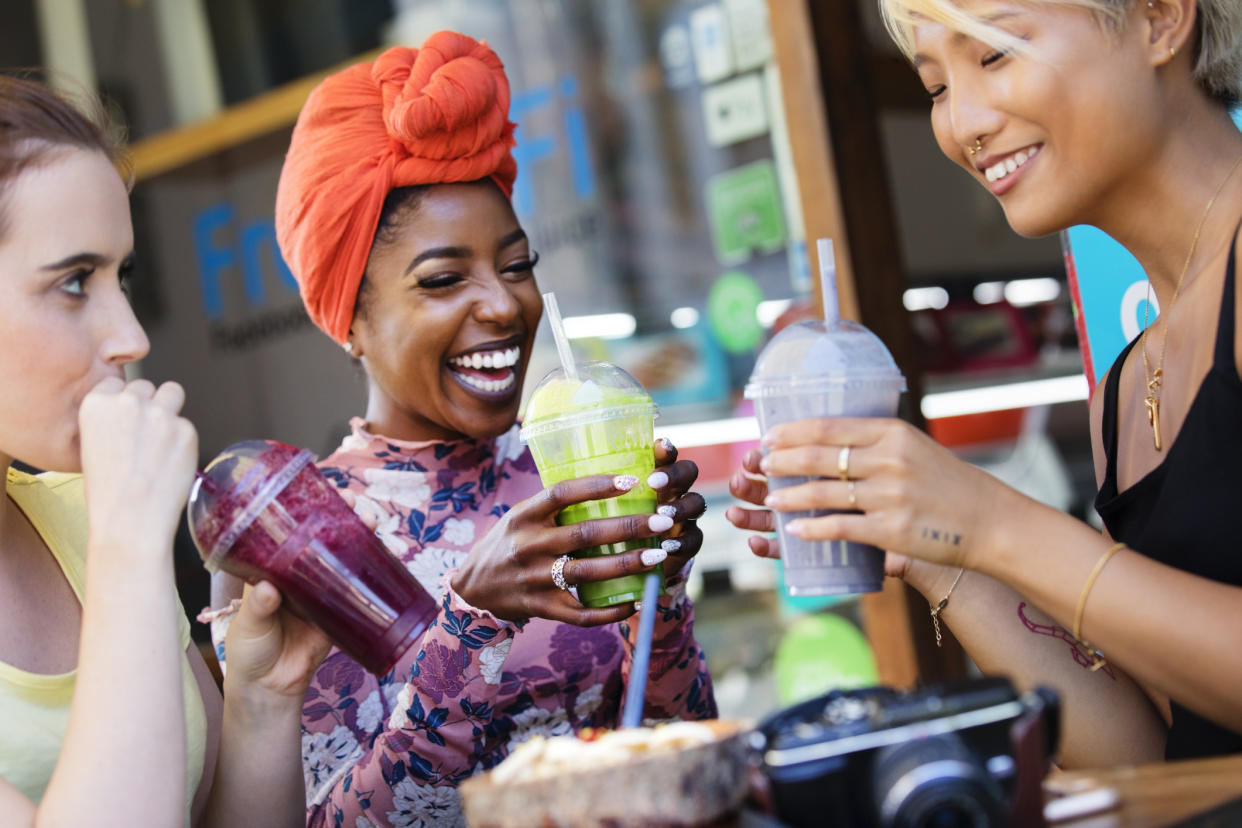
column 37, row 122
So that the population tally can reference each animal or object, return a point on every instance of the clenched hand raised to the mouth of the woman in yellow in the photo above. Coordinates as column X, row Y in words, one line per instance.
column 138, row 461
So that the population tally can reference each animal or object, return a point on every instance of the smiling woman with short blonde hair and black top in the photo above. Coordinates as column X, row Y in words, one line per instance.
column 1113, row 114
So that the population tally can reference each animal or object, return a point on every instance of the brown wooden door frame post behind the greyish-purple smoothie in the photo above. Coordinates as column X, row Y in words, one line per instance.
column 834, row 131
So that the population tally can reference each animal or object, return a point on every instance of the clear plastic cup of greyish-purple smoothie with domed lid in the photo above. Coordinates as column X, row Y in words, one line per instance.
column 815, row 369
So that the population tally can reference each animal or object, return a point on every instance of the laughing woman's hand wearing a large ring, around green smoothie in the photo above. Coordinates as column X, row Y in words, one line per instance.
column 510, row 572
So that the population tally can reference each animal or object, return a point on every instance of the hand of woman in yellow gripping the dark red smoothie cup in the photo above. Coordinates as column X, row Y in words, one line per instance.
column 271, row 651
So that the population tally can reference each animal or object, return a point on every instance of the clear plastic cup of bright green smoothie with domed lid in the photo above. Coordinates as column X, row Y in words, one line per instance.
column 602, row 423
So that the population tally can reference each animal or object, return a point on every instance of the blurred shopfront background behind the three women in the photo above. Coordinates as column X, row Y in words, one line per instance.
column 675, row 157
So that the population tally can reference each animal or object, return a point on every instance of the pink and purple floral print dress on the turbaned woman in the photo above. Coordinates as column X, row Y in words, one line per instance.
column 392, row 750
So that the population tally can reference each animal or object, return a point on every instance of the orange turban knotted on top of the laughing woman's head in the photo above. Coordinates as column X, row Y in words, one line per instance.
column 435, row 115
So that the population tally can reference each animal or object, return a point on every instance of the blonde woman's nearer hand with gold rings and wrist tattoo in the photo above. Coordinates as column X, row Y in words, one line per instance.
column 902, row 491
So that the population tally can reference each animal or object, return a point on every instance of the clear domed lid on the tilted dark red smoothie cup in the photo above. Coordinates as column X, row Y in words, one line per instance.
column 234, row 490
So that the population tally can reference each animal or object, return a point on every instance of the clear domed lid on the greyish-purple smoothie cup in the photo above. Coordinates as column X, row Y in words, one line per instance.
column 813, row 357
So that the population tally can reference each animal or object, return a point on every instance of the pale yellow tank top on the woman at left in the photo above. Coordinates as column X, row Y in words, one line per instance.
column 35, row 708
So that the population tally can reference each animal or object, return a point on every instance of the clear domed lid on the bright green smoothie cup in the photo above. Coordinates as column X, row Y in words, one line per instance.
column 602, row 392
